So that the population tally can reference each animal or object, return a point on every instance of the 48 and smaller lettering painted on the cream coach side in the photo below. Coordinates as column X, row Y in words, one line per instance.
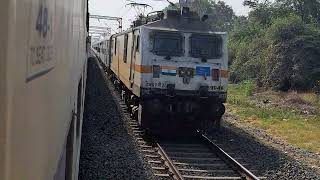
column 40, row 57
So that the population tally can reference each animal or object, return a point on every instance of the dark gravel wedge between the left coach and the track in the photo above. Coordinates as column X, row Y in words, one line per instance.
column 107, row 150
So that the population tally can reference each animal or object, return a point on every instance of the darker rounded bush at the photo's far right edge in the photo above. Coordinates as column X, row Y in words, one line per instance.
column 295, row 50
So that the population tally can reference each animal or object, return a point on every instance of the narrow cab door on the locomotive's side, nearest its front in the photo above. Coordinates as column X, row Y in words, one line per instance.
column 134, row 51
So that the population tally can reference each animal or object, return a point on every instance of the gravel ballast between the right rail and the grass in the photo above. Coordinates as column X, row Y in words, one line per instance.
column 268, row 162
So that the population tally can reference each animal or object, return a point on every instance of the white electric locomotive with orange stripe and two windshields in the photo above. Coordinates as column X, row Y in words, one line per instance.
column 172, row 72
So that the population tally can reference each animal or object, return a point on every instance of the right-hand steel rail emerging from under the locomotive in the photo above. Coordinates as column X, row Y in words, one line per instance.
column 244, row 172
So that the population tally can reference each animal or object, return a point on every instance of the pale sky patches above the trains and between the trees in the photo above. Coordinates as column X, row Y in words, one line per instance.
column 118, row 8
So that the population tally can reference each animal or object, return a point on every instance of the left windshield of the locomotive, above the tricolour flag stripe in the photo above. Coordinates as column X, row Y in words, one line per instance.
column 167, row 44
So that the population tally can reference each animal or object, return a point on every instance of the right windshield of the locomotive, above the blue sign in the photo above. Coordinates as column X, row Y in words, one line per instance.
column 206, row 46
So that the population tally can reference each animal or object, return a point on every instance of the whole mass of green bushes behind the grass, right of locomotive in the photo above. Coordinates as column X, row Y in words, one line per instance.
column 286, row 55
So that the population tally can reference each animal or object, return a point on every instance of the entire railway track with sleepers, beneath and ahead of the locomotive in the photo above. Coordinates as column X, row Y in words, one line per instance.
column 195, row 158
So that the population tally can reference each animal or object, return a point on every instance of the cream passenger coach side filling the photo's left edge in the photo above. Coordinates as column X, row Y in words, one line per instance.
column 42, row 86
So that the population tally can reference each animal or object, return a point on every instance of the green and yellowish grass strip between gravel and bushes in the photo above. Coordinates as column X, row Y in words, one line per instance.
column 293, row 117
